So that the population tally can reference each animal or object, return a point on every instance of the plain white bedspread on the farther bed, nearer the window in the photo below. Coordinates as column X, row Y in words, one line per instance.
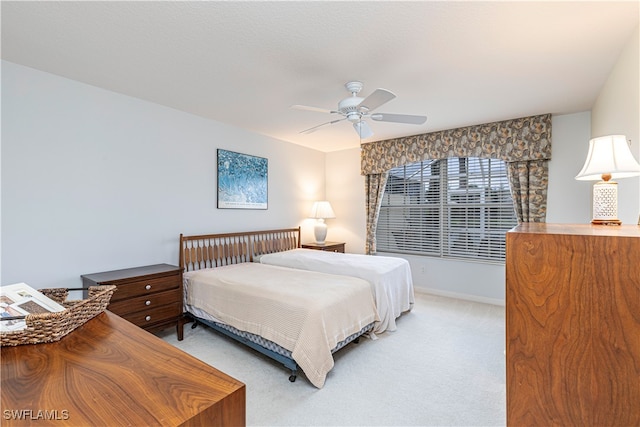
column 390, row 278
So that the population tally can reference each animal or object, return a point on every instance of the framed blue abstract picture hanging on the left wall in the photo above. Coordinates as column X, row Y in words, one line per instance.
column 242, row 181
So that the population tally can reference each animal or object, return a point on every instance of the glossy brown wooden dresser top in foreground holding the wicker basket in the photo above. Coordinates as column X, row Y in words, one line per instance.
column 109, row 372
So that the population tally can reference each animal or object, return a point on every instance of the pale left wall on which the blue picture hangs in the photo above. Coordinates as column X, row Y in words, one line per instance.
column 93, row 180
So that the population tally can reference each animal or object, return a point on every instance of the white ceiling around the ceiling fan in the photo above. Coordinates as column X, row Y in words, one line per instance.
column 246, row 62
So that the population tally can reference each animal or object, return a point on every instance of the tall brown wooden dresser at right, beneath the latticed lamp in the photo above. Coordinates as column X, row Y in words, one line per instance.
column 573, row 325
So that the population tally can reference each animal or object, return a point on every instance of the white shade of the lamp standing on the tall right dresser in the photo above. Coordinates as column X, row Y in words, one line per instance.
column 609, row 155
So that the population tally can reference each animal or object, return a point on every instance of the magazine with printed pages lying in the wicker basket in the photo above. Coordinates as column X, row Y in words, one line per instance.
column 19, row 300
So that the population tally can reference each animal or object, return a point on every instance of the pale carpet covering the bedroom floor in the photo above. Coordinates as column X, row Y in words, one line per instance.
column 444, row 366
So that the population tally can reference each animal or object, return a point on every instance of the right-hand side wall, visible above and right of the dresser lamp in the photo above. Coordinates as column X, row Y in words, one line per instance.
column 617, row 111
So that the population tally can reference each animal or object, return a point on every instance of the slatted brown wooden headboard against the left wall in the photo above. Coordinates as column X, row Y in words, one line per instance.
column 214, row 250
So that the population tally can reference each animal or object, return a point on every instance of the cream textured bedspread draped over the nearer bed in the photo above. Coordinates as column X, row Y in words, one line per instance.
column 308, row 313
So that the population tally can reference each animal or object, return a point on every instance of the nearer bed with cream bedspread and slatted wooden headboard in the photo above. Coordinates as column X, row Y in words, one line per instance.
column 297, row 317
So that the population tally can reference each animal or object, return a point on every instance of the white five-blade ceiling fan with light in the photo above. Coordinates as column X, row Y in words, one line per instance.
column 355, row 109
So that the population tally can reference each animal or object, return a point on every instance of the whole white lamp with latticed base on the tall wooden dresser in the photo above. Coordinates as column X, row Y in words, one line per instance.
column 609, row 157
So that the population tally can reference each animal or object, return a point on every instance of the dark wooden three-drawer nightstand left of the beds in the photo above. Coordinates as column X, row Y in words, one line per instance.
column 149, row 297
